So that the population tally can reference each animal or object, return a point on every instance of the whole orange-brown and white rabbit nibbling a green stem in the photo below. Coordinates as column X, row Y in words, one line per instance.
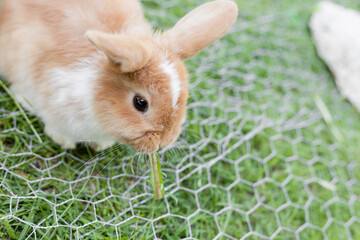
column 94, row 71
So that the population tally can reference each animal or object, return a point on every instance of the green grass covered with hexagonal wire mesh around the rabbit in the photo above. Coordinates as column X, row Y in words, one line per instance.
column 262, row 157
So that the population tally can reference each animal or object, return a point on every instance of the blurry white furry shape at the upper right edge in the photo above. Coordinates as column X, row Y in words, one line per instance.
column 336, row 31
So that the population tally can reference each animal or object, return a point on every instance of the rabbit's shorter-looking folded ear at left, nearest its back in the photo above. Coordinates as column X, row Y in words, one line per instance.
column 130, row 53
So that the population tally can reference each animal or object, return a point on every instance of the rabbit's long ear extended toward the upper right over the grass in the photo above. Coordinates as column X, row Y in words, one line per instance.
column 201, row 27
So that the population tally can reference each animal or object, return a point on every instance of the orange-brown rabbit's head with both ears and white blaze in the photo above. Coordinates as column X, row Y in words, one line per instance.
column 142, row 90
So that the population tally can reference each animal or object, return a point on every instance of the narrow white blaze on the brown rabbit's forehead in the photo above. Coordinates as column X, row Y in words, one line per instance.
column 175, row 84
